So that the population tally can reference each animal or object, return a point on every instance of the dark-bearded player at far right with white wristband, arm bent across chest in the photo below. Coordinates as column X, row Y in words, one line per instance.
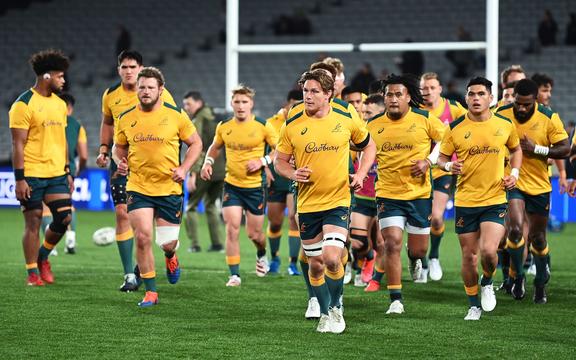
column 542, row 137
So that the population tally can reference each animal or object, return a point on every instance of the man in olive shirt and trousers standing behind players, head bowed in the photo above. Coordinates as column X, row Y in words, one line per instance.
column 208, row 191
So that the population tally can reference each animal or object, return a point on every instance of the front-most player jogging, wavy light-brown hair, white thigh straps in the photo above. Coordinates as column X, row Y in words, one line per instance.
column 319, row 140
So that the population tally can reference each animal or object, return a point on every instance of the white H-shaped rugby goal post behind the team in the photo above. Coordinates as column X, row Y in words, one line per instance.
column 234, row 49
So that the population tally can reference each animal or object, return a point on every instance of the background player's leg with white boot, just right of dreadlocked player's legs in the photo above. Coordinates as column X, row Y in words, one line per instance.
column 437, row 227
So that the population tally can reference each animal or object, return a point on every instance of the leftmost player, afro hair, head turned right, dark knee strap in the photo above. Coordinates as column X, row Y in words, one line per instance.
column 40, row 161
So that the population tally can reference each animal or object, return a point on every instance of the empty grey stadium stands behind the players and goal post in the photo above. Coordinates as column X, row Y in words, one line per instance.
column 169, row 34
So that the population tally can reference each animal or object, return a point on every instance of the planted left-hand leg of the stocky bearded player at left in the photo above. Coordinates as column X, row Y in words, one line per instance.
column 141, row 217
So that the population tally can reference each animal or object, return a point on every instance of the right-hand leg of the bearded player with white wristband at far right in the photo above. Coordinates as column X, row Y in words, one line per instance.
column 537, row 210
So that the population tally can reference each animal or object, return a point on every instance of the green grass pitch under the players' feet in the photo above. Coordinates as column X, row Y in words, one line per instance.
column 83, row 315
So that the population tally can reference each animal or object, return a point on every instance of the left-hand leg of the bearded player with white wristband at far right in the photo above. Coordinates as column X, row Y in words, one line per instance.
column 515, row 242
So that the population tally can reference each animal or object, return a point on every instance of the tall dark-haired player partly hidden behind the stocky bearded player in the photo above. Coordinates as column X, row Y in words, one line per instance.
column 115, row 101
